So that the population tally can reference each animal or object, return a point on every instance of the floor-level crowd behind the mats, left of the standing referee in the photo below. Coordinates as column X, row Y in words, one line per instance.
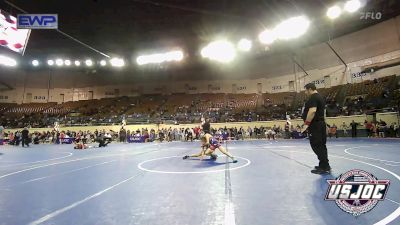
column 150, row 135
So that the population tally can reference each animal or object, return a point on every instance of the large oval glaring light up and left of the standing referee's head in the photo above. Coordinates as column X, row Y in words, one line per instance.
column 292, row 28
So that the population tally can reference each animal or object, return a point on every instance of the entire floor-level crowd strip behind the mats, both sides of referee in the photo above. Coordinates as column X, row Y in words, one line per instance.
column 372, row 129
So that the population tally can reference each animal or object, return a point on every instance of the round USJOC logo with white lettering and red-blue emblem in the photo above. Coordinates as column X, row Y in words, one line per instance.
column 357, row 191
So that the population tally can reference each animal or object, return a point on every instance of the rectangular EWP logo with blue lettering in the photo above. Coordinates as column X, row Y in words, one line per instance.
column 37, row 21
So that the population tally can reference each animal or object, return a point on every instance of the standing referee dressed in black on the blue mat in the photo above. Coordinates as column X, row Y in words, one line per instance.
column 314, row 121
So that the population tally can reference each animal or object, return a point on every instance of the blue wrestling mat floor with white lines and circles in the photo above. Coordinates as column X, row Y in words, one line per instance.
column 150, row 184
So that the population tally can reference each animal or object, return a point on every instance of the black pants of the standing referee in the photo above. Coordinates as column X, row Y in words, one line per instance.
column 317, row 133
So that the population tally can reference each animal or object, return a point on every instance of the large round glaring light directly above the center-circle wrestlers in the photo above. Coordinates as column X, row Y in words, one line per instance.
column 221, row 51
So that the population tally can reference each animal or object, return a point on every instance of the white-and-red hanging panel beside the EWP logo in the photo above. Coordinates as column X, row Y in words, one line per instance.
column 11, row 37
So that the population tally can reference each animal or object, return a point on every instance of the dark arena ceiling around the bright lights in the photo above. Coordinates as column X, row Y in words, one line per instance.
column 130, row 27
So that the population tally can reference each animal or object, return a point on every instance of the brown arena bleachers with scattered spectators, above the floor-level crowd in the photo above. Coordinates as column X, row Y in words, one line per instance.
column 350, row 99
